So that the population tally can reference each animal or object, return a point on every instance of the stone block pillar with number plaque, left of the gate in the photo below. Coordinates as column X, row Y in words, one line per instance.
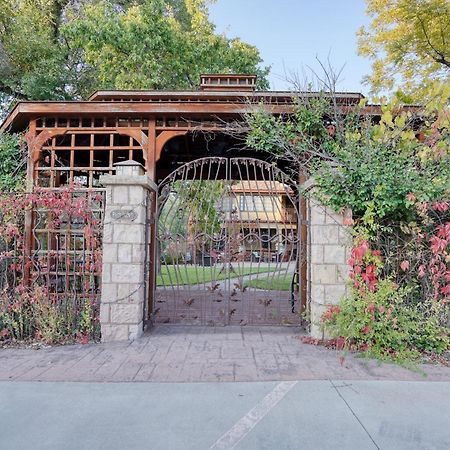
column 124, row 246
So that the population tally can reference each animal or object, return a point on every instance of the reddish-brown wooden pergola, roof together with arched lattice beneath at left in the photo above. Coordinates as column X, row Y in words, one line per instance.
column 80, row 140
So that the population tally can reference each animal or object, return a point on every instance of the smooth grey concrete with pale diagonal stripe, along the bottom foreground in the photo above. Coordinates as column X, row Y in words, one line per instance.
column 329, row 414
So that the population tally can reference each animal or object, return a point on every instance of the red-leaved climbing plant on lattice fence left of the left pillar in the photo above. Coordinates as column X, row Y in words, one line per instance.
column 50, row 265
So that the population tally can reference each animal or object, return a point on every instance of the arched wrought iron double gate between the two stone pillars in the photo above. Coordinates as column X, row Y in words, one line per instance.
column 228, row 244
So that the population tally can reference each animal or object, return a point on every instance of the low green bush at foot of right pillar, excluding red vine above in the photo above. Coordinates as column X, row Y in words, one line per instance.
column 380, row 324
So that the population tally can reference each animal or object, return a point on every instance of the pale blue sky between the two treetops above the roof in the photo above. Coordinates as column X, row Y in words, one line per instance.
column 291, row 33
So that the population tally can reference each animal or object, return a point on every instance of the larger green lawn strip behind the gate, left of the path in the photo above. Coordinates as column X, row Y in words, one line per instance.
column 184, row 275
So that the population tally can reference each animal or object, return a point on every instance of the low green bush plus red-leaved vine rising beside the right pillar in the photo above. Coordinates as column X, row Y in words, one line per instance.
column 376, row 319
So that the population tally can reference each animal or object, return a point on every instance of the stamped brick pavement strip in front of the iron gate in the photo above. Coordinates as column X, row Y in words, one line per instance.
column 188, row 354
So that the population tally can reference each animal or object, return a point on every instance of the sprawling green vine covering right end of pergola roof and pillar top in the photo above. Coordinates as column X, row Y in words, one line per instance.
column 370, row 166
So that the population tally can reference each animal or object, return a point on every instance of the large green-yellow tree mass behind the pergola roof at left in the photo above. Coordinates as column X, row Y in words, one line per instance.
column 63, row 49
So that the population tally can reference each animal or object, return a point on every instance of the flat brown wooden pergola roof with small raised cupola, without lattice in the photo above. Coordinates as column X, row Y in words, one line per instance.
column 219, row 95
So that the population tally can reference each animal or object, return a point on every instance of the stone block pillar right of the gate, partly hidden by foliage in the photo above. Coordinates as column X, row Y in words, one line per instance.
column 330, row 244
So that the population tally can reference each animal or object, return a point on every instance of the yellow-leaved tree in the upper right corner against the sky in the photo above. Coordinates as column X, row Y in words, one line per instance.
column 408, row 42
